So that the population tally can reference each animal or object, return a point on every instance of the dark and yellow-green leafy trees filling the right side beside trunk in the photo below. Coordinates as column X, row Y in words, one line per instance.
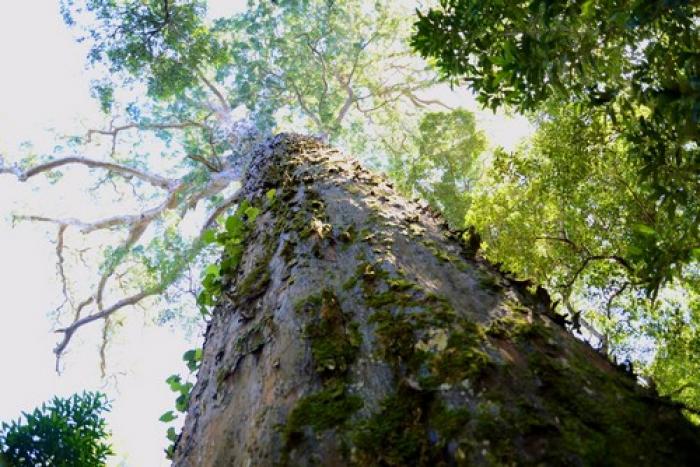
column 602, row 207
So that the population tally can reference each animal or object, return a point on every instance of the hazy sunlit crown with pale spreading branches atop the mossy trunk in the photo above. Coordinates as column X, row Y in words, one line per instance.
column 213, row 87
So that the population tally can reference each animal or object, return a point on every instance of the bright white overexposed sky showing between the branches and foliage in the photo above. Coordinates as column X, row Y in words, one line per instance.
column 42, row 85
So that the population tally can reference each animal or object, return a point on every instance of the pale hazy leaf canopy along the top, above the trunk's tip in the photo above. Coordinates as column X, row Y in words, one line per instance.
column 313, row 63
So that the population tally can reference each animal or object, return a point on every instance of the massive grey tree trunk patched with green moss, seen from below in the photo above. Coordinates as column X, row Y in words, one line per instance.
column 358, row 330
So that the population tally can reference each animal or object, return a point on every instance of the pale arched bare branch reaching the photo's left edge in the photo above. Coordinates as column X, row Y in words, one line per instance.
column 24, row 174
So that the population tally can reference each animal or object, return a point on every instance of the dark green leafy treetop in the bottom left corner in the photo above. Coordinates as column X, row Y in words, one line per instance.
column 64, row 432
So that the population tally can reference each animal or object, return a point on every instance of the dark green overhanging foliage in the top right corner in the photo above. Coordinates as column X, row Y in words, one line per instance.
column 636, row 61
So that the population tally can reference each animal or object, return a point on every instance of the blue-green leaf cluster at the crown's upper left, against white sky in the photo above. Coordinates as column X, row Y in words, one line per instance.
column 165, row 40
